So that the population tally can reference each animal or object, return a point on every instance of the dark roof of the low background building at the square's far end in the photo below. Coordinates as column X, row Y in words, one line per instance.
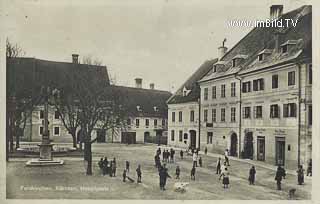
column 147, row 99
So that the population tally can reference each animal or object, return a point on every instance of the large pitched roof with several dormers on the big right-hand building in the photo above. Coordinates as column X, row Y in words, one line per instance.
column 260, row 38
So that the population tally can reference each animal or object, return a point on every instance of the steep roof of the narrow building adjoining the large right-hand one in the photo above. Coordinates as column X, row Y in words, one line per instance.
column 191, row 84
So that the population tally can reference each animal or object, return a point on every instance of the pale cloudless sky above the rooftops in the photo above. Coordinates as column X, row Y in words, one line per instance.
column 161, row 41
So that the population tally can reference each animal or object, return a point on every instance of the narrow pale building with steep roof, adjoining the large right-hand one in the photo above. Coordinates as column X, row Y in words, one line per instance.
column 183, row 110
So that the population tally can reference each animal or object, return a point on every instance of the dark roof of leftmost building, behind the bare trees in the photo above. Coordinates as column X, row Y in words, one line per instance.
column 26, row 76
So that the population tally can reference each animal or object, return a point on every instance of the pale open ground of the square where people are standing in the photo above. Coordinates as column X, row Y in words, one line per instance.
column 70, row 181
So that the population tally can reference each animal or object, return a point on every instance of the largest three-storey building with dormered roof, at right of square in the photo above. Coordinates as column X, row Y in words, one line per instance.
column 269, row 115
